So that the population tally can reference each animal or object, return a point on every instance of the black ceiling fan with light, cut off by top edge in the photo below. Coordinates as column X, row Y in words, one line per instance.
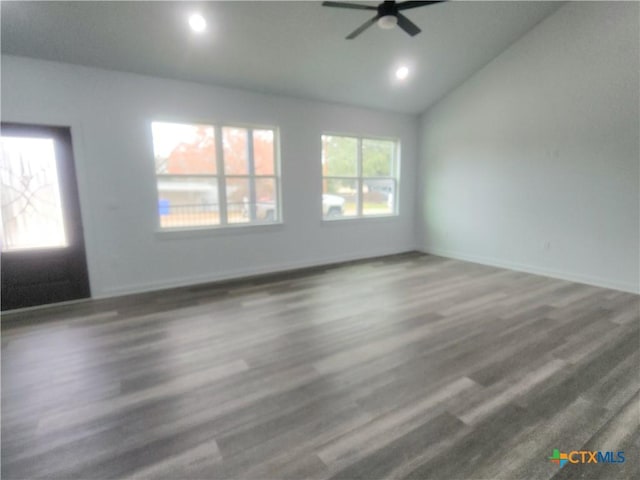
column 388, row 15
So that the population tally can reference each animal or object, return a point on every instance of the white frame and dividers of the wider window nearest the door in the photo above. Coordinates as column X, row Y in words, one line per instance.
column 219, row 179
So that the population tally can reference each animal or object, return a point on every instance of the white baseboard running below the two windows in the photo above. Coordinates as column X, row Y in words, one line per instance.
column 240, row 273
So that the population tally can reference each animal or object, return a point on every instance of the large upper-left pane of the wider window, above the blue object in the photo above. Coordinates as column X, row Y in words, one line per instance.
column 184, row 149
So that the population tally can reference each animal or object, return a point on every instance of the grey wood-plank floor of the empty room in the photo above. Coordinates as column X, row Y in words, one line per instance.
column 410, row 366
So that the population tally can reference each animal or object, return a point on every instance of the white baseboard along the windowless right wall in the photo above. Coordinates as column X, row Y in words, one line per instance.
column 572, row 277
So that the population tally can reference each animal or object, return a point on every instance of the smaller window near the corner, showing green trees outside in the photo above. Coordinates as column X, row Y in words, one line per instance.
column 359, row 177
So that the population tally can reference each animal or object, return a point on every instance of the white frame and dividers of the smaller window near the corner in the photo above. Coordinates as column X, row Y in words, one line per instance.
column 360, row 178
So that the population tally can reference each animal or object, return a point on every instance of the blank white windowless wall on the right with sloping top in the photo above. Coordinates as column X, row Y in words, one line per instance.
column 540, row 148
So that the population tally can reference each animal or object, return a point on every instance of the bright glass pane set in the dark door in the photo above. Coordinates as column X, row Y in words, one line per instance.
column 31, row 205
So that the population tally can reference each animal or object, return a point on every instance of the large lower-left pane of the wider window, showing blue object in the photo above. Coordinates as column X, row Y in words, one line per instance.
column 187, row 201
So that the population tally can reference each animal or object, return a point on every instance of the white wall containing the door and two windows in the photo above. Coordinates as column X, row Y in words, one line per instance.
column 110, row 115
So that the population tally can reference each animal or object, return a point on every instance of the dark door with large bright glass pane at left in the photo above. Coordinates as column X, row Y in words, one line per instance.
column 43, row 253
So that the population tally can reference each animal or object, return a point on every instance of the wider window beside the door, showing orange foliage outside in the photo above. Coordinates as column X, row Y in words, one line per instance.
column 210, row 175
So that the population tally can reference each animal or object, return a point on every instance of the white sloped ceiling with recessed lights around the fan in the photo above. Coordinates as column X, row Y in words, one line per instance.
column 290, row 48
